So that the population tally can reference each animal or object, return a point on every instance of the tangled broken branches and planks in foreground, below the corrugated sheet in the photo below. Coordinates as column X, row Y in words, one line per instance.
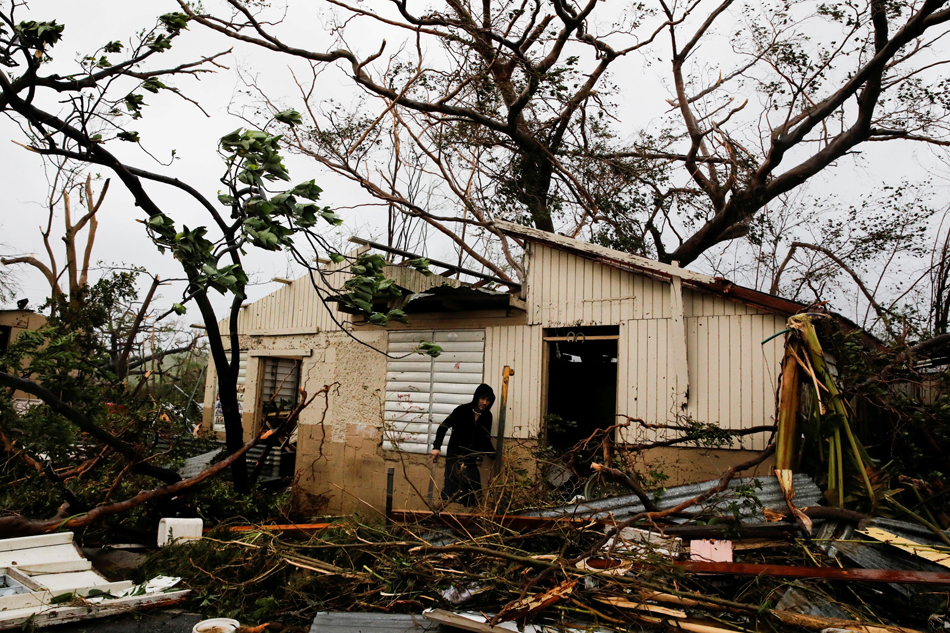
column 501, row 573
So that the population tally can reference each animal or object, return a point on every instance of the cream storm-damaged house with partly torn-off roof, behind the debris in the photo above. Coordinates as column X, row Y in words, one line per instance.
column 593, row 335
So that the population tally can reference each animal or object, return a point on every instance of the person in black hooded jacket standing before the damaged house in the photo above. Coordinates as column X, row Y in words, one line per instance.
column 471, row 438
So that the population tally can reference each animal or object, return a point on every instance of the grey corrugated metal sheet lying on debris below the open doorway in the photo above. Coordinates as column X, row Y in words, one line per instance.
column 769, row 495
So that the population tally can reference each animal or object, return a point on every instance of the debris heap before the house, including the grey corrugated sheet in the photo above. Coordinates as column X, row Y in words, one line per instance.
column 590, row 570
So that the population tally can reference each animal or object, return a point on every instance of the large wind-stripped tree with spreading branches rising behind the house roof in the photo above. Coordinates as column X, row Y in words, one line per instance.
column 522, row 110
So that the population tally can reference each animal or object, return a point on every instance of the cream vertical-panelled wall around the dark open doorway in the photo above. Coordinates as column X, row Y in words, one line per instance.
column 732, row 377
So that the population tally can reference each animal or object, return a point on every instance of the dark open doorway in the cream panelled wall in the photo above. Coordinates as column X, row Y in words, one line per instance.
column 582, row 383
